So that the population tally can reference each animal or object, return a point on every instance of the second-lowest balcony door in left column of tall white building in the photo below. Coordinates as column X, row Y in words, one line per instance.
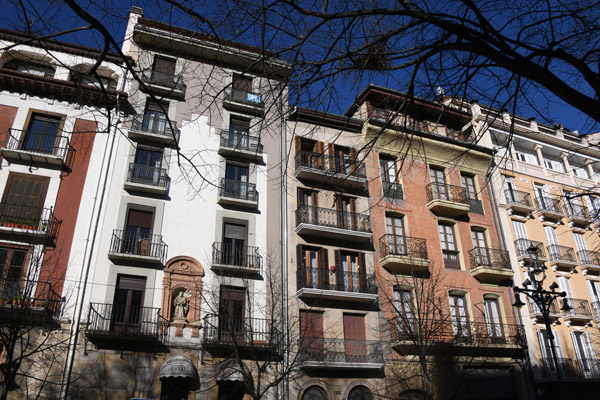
column 137, row 238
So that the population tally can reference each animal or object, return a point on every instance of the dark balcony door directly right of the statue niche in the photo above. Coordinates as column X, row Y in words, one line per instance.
column 232, row 307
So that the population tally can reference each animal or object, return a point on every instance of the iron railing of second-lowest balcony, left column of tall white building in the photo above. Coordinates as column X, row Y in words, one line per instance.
column 139, row 244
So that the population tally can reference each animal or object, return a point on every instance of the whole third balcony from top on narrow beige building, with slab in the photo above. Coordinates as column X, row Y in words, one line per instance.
column 336, row 285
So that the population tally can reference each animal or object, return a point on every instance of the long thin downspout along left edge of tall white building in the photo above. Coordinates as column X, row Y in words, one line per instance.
column 89, row 249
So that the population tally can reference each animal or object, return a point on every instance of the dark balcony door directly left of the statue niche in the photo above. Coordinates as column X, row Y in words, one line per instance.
column 127, row 305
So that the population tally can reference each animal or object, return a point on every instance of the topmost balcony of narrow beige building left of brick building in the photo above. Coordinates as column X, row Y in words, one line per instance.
column 317, row 167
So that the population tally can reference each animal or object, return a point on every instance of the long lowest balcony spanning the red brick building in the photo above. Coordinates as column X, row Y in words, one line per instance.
column 442, row 336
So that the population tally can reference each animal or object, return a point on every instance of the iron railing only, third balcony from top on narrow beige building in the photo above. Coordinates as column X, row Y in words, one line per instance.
column 336, row 279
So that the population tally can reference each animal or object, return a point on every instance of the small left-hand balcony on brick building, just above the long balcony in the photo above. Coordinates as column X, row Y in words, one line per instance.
column 403, row 255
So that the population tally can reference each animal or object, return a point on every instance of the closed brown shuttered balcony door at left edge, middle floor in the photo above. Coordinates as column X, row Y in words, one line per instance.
column 23, row 201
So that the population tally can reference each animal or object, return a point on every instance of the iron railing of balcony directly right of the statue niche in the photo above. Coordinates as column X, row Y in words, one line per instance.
column 241, row 331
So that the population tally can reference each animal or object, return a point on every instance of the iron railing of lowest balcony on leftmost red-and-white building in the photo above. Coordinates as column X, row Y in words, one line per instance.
column 25, row 295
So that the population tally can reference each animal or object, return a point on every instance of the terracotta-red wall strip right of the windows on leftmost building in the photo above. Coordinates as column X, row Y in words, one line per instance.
column 68, row 202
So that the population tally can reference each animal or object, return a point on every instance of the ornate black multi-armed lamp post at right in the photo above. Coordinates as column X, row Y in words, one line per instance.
column 543, row 299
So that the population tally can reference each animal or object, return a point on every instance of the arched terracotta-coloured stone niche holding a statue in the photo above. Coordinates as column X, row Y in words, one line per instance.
column 182, row 294
